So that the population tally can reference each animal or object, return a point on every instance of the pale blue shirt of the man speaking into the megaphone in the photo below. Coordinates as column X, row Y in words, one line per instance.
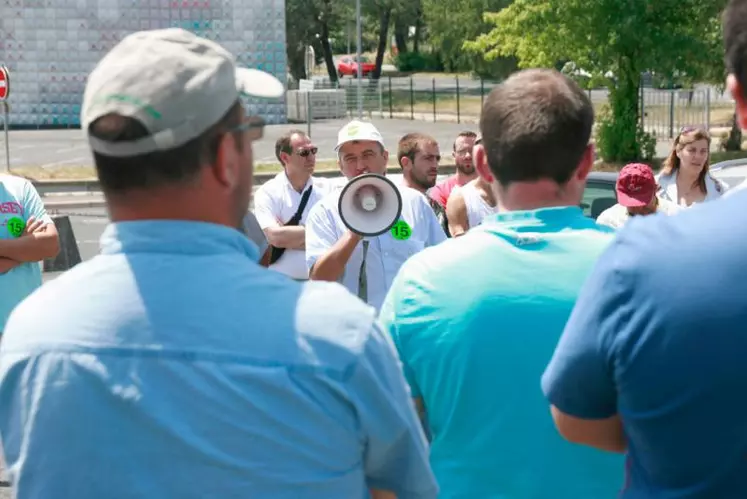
column 386, row 254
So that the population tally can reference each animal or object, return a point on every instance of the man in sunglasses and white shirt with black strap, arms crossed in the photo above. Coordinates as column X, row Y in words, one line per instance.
column 282, row 204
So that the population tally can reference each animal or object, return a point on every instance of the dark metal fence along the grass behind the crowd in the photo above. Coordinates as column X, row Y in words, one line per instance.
column 460, row 99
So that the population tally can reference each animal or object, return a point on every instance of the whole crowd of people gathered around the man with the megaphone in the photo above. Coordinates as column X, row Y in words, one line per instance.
column 505, row 345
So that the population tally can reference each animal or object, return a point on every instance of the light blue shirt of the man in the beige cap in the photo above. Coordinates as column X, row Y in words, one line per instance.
column 173, row 365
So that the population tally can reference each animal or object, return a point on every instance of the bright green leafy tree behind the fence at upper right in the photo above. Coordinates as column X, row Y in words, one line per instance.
column 619, row 37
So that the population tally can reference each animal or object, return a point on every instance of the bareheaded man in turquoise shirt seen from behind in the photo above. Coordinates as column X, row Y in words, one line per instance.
column 476, row 319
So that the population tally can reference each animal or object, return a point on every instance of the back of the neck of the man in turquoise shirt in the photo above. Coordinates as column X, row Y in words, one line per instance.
column 526, row 196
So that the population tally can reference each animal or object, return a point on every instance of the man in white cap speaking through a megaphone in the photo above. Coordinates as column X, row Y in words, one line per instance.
column 366, row 266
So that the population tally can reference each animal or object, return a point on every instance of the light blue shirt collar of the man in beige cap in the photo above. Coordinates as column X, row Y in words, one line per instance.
column 183, row 237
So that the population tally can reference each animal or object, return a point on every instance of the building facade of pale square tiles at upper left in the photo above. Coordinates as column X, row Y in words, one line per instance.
column 50, row 46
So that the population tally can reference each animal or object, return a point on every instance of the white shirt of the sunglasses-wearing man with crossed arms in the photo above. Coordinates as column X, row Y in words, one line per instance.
column 275, row 202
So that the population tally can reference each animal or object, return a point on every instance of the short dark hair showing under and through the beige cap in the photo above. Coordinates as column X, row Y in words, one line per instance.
column 156, row 169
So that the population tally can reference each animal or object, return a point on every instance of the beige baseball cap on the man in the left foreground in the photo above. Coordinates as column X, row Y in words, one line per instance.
column 174, row 82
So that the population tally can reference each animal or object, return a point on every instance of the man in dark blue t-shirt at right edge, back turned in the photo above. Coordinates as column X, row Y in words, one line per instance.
column 652, row 360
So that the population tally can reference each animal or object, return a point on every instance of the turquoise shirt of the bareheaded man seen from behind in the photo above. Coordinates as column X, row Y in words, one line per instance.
column 475, row 320
